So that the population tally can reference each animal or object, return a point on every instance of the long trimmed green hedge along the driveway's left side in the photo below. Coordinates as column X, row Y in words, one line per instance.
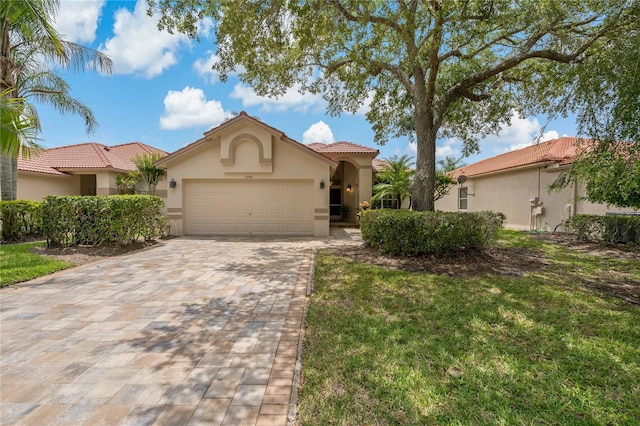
column 96, row 220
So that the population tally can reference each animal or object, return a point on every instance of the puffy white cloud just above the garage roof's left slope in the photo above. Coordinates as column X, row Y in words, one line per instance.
column 190, row 108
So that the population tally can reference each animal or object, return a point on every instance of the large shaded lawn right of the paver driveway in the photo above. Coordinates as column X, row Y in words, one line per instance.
column 535, row 349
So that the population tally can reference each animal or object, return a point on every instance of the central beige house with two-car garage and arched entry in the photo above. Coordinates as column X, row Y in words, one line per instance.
column 245, row 177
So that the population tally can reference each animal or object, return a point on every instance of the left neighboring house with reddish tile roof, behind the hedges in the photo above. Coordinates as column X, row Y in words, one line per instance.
column 83, row 169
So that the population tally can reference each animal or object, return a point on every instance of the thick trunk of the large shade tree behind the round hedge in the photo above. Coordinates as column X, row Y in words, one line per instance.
column 423, row 190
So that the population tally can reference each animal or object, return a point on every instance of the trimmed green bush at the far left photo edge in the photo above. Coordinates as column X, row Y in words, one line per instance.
column 20, row 219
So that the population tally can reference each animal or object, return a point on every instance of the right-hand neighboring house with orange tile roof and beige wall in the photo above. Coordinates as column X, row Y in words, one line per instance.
column 517, row 183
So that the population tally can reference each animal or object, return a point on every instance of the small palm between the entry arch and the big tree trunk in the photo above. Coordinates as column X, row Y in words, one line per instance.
column 395, row 179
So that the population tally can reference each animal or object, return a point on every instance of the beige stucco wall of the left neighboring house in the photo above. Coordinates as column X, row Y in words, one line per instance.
column 35, row 187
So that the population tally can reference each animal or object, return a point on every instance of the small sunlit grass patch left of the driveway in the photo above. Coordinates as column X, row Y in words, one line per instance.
column 18, row 264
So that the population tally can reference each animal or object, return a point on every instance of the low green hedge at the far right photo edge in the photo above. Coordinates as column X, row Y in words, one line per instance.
column 611, row 229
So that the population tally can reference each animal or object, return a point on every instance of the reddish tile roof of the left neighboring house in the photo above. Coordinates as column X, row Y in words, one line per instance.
column 89, row 155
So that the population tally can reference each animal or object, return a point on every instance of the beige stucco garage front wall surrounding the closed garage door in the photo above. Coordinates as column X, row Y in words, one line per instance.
column 288, row 161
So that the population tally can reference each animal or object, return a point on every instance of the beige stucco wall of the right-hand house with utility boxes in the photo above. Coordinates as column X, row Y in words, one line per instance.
column 510, row 193
